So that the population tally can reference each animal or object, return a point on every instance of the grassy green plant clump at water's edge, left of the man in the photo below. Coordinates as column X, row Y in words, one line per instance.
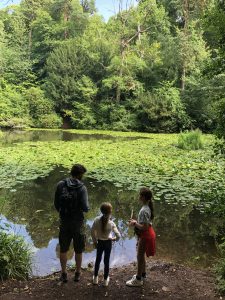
column 15, row 257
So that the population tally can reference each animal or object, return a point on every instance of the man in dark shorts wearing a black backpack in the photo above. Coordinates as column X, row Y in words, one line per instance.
column 71, row 201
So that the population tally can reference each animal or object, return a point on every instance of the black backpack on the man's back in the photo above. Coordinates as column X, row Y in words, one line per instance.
column 69, row 204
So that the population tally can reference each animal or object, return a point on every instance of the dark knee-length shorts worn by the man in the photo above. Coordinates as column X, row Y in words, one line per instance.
column 72, row 231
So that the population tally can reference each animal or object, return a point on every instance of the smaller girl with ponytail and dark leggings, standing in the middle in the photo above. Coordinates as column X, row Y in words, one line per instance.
column 102, row 237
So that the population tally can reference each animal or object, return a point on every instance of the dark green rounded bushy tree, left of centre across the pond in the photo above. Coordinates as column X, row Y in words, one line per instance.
column 66, row 68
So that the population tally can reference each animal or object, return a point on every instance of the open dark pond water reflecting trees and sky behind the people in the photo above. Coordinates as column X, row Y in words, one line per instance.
column 182, row 233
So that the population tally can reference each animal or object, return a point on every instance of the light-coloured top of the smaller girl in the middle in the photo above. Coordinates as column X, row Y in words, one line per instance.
column 98, row 234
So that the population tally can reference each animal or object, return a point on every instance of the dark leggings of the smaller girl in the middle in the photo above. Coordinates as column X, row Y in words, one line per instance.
column 106, row 247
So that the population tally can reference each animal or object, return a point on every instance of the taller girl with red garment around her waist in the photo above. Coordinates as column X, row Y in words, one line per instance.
column 146, row 235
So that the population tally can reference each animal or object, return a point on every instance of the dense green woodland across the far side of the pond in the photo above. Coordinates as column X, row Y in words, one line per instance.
column 156, row 67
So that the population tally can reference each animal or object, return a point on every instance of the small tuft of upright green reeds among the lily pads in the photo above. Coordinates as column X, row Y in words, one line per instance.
column 191, row 140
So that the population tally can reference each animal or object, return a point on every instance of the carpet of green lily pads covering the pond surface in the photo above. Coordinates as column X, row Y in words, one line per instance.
column 150, row 159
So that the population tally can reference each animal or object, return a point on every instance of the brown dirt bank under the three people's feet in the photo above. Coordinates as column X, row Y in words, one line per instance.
column 165, row 281
